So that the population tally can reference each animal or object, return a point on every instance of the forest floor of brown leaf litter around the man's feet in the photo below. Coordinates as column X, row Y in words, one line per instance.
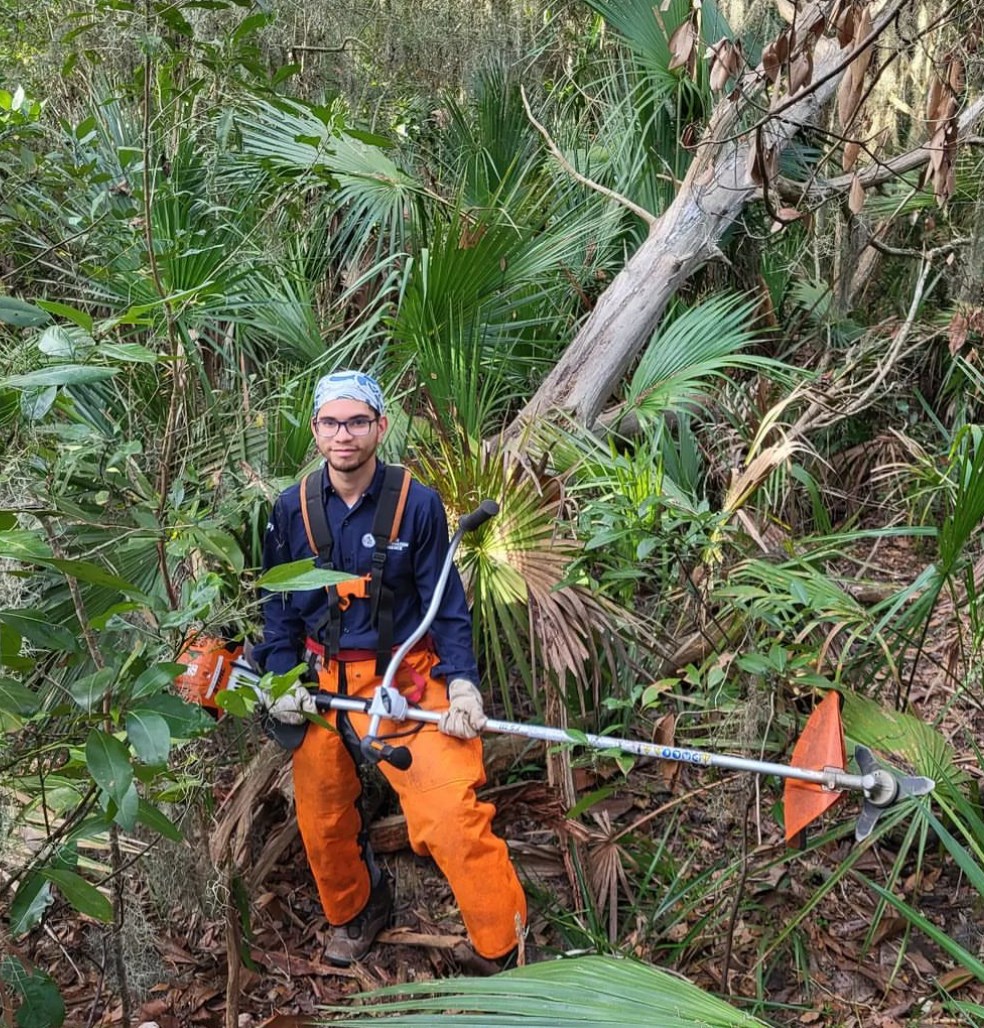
column 831, row 974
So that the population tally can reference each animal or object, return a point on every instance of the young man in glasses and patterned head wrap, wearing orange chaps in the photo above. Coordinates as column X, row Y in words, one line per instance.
column 341, row 638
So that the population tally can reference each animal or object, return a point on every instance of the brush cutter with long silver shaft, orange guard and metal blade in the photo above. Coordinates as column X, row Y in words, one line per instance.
column 815, row 782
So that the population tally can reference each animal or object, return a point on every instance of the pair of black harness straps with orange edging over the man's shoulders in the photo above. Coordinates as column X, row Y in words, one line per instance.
column 386, row 527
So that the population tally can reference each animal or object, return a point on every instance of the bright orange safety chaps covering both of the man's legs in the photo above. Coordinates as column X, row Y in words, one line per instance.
column 445, row 818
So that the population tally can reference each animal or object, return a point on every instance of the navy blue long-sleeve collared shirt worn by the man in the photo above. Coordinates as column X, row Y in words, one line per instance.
column 413, row 567
